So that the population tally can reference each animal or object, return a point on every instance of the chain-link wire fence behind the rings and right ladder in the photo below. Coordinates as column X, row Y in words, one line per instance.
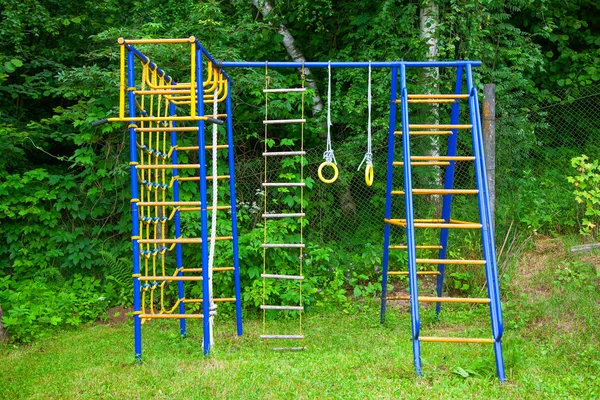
column 535, row 141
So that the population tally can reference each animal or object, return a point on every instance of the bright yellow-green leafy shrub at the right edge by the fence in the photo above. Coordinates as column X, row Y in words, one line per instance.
column 587, row 192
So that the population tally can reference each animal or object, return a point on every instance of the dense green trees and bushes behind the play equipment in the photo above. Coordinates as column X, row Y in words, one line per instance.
column 64, row 185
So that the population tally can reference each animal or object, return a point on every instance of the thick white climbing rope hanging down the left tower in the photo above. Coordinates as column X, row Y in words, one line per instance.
column 213, row 227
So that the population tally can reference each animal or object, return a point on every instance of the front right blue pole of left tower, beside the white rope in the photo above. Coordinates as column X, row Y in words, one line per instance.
column 203, row 203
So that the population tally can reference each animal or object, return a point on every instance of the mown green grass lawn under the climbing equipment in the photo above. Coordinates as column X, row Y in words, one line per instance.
column 551, row 347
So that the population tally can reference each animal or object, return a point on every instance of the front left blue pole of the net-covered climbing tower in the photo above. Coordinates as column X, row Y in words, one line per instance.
column 135, row 222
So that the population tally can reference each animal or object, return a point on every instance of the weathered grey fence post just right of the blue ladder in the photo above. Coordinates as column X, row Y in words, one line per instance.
column 489, row 142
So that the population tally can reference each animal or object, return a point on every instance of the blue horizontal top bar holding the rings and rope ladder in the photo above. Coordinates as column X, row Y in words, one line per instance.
column 346, row 64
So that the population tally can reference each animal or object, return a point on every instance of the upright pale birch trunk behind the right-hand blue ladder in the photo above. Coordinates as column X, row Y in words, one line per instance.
column 428, row 20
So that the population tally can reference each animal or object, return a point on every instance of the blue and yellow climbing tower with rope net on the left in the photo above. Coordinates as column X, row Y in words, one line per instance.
column 162, row 113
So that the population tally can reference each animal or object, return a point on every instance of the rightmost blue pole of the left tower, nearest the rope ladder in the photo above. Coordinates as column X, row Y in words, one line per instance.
column 234, row 233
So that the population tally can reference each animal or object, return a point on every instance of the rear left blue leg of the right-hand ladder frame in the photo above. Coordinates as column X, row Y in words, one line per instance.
column 388, row 192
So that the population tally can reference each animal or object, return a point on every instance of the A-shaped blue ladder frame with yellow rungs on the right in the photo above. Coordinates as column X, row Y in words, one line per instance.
column 412, row 224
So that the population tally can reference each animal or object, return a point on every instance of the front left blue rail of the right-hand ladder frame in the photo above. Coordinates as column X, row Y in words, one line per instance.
column 410, row 228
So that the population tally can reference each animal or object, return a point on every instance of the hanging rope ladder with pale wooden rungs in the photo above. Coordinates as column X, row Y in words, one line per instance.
column 270, row 272
